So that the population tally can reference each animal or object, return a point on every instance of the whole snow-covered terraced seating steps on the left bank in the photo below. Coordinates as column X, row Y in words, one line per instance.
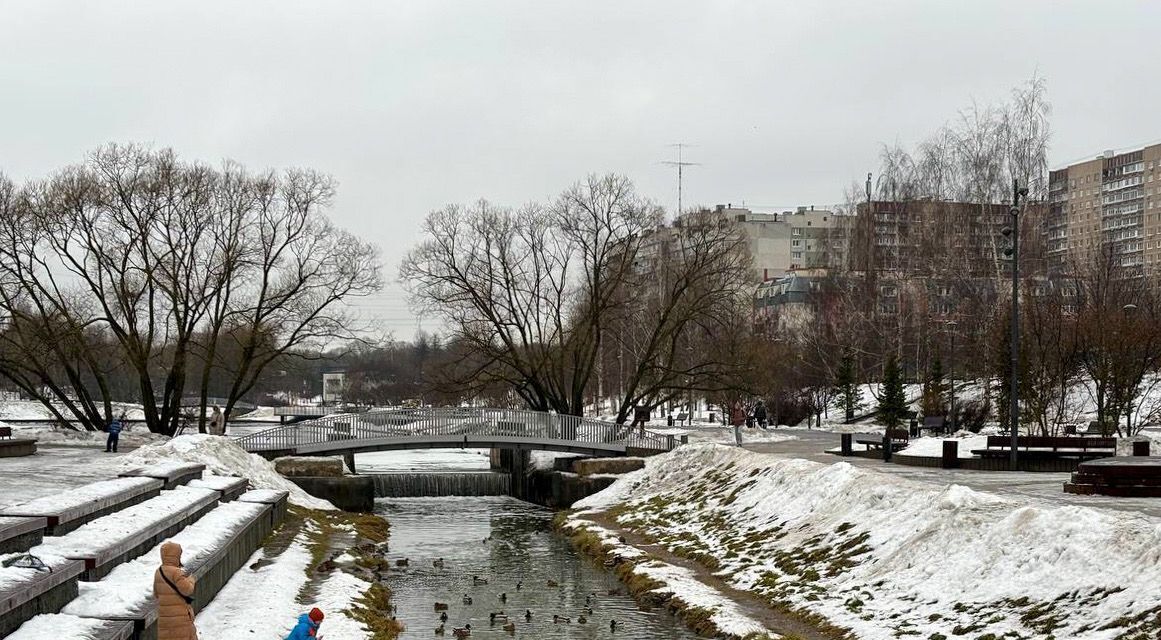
column 95, row 550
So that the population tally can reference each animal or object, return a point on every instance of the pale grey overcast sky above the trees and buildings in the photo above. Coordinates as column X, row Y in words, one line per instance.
column 416, row 105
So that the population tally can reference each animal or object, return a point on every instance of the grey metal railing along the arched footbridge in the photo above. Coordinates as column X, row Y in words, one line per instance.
column 344, row 430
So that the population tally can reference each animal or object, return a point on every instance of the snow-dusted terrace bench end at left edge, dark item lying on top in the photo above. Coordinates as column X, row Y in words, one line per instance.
column 27, row 593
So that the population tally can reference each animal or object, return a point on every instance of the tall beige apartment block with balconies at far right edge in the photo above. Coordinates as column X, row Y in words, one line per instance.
column 1112, row 204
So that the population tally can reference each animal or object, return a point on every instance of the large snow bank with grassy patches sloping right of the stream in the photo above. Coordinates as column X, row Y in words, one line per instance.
column 885, row 556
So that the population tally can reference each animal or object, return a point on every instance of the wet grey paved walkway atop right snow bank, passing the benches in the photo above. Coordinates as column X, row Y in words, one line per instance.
column 1043, row 487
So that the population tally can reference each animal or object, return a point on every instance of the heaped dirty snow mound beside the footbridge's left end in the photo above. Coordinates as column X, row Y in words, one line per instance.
column 223, row 457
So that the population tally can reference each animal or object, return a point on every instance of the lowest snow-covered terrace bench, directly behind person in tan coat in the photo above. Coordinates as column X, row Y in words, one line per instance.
column 213, row 550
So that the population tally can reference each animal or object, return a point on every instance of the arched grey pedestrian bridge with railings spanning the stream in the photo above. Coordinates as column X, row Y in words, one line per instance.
column 455, row 428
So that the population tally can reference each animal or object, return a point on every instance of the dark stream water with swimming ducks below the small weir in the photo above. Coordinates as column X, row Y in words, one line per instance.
column 506, row 542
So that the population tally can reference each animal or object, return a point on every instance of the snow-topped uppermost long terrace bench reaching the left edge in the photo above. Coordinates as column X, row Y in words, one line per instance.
column 71, row 509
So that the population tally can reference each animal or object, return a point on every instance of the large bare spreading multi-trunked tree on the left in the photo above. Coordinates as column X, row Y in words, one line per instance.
column 168, row 258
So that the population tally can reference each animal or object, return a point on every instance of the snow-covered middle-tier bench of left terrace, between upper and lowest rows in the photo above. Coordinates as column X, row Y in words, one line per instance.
column 124, row 536
